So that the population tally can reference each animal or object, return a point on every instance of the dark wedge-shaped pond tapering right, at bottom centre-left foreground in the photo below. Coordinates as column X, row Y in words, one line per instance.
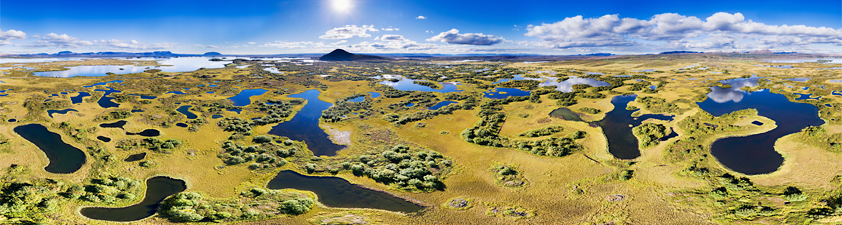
column 337, row 192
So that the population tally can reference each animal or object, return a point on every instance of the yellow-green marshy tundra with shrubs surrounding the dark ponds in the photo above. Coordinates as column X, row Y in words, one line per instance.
column 485, row 160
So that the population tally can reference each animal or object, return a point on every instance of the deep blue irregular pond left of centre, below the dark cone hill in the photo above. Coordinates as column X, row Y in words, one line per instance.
column 304, row 126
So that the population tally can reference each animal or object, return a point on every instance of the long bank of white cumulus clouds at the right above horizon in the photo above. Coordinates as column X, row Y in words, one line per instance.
column 721, row 29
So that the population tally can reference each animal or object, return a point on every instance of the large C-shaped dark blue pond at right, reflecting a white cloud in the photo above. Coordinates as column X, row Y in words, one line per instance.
column 755, row 154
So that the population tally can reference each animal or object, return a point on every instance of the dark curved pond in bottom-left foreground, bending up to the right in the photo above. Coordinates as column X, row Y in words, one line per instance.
column 157, row 189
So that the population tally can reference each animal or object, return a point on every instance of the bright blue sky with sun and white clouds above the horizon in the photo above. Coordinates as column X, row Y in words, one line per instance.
column 422, row 26
